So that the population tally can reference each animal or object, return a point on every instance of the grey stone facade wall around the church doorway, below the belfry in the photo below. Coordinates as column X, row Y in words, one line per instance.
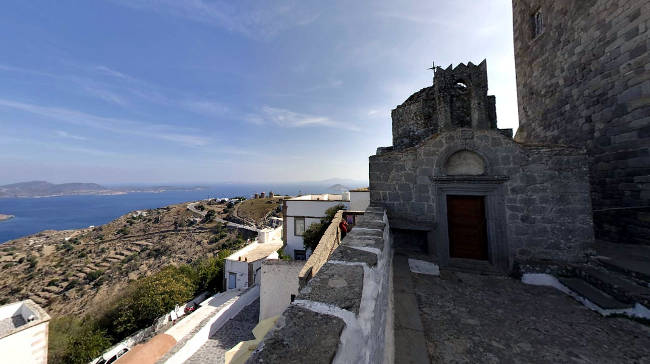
column 547, row 212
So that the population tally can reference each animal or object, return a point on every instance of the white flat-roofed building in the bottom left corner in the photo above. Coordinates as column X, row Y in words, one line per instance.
column 23, row 333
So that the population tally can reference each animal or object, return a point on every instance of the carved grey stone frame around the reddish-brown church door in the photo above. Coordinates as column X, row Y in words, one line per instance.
column 492, row 189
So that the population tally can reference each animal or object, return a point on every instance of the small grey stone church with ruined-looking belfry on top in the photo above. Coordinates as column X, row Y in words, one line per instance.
column 471, row 192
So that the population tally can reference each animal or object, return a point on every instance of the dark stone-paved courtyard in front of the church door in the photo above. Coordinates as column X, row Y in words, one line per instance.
column 471, row 318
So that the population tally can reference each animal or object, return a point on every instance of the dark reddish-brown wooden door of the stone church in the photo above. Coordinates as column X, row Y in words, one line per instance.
column 467, row 227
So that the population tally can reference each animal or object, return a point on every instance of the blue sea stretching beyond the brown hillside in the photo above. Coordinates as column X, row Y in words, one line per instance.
column 32, row 215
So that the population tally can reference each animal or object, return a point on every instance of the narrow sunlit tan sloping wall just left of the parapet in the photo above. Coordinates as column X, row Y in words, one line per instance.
column 326, row 245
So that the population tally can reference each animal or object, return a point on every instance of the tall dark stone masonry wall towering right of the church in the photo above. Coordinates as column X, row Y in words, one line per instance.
column 585, row 82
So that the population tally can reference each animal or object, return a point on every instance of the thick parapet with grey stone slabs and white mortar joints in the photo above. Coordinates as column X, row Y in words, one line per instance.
column 343, row 314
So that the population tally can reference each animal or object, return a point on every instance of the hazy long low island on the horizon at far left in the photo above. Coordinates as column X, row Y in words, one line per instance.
column 46, row 189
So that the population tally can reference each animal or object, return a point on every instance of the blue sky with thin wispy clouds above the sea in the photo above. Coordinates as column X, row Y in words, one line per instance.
column 173, row 91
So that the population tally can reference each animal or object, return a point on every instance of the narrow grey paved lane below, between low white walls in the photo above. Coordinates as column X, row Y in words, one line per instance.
column 237, row 329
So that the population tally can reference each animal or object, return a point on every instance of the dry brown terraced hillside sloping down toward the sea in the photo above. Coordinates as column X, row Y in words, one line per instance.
column 76, row 271
